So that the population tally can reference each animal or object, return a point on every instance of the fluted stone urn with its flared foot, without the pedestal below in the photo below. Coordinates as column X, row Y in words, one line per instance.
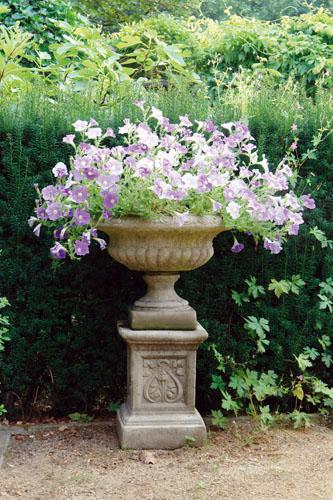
column 161, row 249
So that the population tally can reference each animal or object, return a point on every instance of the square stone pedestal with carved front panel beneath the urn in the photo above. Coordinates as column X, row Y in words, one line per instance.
column 160, row 408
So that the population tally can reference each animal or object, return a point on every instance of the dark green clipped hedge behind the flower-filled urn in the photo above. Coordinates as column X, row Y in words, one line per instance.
column 65, row 353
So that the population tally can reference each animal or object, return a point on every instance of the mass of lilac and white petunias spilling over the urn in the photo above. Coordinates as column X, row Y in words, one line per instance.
column 160, row 168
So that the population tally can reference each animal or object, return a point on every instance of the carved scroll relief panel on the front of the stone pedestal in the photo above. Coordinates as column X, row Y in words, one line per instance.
column 163, row 380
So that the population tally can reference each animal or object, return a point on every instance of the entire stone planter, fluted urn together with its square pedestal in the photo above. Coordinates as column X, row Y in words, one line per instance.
column 162, row 332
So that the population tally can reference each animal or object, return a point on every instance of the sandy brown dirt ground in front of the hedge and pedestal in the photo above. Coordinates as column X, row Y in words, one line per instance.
column 242, row 463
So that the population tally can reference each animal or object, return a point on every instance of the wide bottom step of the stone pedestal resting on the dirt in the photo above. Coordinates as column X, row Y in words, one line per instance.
column 165, row 432
